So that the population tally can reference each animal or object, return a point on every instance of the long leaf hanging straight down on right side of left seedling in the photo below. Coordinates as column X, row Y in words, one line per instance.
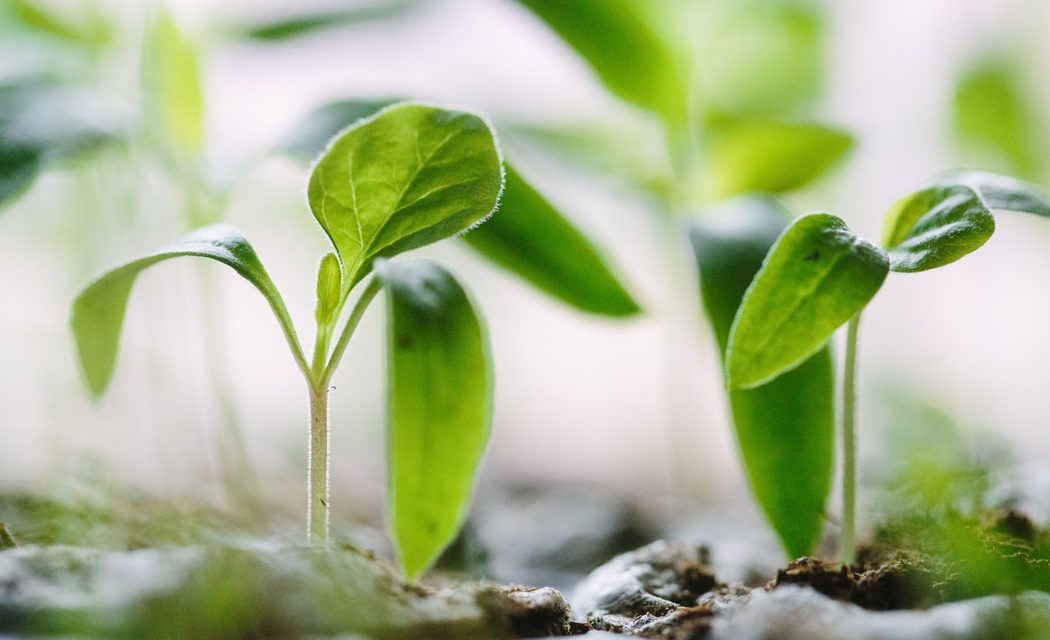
column 440, row 394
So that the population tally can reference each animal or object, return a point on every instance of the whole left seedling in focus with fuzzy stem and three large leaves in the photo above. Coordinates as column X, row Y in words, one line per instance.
column 405, row 178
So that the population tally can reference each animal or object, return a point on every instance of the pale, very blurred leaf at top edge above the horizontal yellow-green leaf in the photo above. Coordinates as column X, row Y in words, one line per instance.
column 759, row 58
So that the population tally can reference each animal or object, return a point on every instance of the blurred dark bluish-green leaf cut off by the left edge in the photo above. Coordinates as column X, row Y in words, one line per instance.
column 43, row 123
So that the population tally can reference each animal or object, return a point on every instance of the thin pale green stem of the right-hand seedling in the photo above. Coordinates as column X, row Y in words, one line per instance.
column 848, row 543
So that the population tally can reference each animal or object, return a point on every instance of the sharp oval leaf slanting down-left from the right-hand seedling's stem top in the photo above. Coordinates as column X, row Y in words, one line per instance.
column 817, row 276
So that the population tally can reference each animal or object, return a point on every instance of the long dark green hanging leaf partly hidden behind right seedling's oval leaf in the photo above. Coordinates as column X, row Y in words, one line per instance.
column 785, row 429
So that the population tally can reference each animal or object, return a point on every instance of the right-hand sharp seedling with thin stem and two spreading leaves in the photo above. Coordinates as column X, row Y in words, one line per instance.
column 821, row 275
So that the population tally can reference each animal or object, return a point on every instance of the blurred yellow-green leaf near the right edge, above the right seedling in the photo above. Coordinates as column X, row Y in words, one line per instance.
column 994, row 114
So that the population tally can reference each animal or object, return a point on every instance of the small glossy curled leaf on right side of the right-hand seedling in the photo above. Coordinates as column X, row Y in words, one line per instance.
column 936, row 227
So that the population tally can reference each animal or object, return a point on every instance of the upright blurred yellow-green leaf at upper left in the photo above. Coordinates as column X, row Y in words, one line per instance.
column 172, row 86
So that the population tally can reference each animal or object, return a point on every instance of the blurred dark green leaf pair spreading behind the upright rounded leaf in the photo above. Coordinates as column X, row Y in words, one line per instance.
column 530, row 238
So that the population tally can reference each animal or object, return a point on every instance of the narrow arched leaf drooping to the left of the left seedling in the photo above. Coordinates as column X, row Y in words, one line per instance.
column 99, row 310
